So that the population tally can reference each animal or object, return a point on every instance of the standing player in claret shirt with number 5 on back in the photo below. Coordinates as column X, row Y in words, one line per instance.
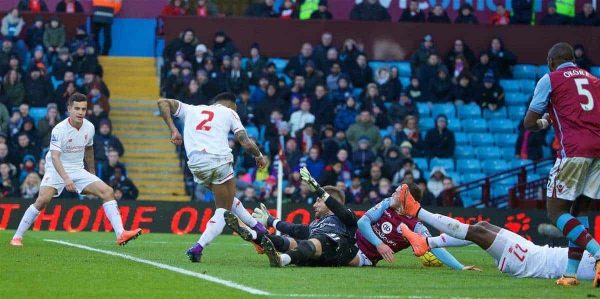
column 571, row 97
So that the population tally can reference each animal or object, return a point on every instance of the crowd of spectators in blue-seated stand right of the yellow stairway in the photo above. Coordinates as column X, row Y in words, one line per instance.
column 363, row 142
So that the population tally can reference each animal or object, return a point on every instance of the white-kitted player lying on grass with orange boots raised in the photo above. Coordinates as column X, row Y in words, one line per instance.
column 514, row 254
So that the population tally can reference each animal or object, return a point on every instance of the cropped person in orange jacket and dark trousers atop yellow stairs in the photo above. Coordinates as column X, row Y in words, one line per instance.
column 103, row 12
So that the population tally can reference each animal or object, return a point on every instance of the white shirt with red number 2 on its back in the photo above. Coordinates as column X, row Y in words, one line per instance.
column 206, row 128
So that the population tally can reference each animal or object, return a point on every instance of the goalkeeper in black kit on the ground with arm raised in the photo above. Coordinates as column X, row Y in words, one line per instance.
column 327, row 241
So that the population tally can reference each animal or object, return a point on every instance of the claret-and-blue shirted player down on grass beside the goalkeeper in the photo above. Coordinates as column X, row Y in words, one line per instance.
column 379, row 236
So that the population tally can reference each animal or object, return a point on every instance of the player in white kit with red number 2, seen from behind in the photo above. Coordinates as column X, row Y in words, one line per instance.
column 205, row 137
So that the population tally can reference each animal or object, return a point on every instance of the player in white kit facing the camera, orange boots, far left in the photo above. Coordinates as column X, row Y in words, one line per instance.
column 72, row 143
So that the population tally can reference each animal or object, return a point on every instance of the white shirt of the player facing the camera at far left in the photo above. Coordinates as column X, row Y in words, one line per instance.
column 71, row 144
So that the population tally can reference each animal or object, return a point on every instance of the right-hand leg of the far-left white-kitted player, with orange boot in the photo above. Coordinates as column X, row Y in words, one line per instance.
column 111, row 209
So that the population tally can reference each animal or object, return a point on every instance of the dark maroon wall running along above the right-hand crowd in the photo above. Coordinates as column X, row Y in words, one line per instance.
column 382, row 40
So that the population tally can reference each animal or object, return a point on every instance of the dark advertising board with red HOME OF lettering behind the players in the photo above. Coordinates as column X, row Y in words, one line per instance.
column 191, row 217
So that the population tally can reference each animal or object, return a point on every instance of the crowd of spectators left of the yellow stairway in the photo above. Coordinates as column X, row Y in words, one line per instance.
column 40, row 68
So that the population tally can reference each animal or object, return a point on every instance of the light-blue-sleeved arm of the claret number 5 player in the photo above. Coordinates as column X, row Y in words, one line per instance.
column 535, row 119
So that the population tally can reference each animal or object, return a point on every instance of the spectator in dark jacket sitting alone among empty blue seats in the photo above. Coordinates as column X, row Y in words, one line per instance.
column 439, row 141
